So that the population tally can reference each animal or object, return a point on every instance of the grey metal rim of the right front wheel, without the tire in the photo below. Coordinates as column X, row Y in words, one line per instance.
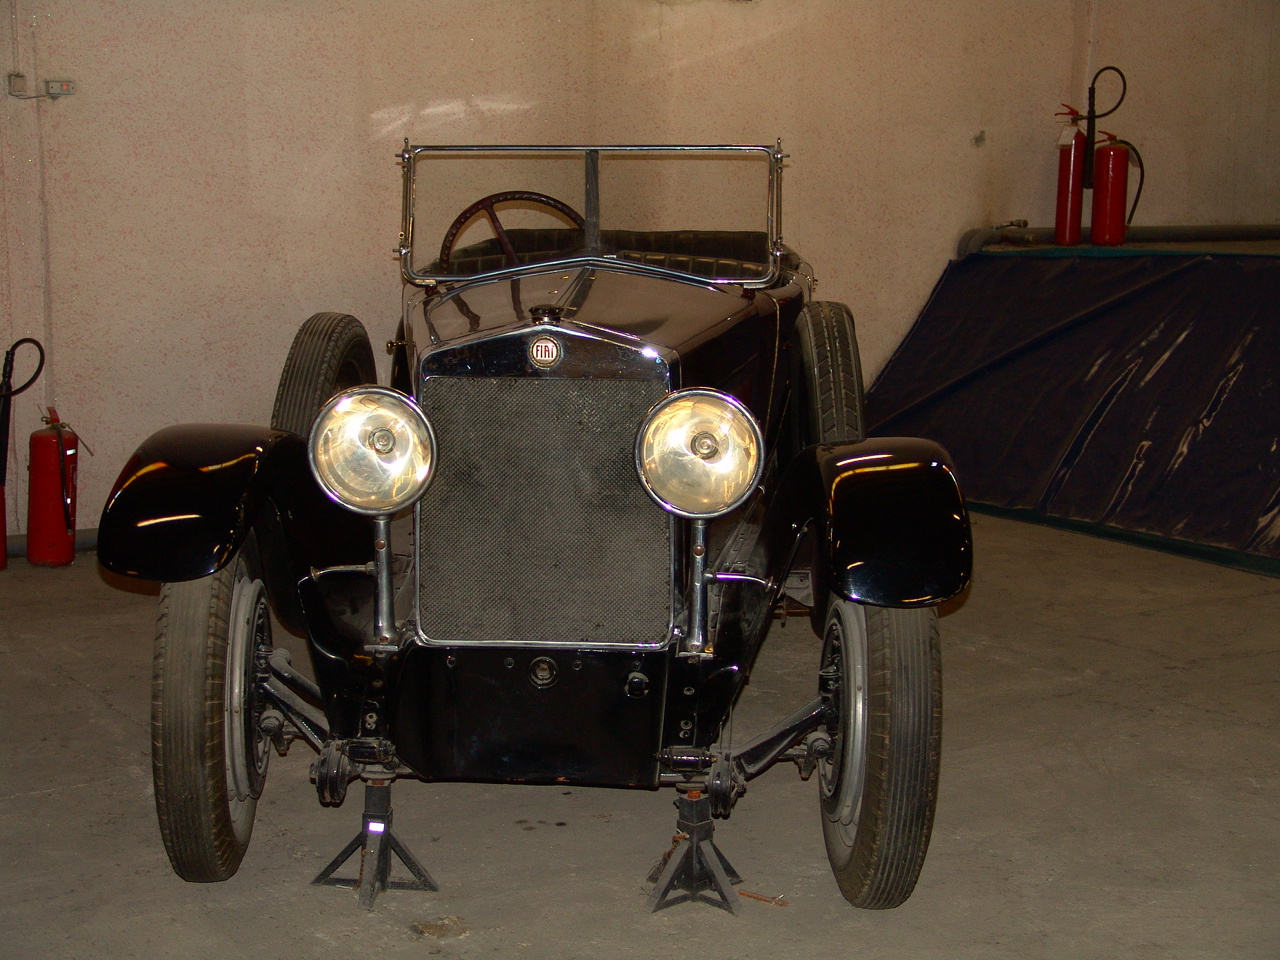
column 844, row 676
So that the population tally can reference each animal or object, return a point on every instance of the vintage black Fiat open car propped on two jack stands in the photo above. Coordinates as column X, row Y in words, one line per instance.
column 614, row 445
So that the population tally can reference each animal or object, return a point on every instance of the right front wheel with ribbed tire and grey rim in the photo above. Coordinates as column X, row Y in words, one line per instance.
column 883, row 680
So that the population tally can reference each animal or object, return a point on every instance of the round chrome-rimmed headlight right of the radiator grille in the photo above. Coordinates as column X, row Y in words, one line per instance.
column 700, row 454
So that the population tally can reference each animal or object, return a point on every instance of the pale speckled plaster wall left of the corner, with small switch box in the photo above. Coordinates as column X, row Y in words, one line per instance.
column 226, row 171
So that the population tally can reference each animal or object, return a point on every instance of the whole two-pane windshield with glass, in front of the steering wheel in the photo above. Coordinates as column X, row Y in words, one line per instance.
column 711, row 213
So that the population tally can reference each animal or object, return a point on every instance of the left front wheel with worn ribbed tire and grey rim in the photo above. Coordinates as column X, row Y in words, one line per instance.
column 209, row 752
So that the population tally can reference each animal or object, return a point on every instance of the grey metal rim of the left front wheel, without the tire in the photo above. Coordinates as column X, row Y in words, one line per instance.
column 249, row 643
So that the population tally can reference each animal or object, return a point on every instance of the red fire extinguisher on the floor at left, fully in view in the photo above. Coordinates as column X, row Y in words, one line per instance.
column 52, row 495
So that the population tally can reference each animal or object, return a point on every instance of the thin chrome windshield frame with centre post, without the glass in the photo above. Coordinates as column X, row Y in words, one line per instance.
column 409, row 156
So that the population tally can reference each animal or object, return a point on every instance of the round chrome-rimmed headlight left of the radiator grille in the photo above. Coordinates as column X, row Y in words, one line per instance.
column 373, row 450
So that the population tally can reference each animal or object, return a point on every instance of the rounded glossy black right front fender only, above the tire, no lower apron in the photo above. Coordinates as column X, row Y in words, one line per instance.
column 889, row 518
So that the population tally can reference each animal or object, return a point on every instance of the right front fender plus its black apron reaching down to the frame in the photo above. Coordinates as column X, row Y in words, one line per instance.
column 888, row 525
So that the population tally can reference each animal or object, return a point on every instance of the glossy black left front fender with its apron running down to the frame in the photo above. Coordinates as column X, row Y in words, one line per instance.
column 186, row 502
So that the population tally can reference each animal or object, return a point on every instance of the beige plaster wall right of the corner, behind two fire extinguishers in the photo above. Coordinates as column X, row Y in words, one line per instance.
column 913, row 121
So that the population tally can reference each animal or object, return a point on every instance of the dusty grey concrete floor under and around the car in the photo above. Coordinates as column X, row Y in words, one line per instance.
column 1110, row 788
